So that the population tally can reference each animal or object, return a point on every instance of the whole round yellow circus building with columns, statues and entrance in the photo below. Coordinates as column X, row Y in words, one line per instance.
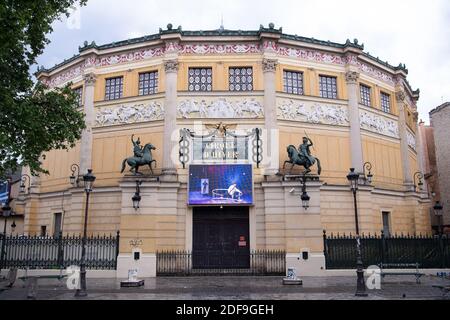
column 206, row 142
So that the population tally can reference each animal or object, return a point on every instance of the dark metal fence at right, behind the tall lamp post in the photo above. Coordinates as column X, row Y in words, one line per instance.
column 428, row 252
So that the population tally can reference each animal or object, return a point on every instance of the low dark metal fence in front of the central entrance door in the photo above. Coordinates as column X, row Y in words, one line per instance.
column 262, row 262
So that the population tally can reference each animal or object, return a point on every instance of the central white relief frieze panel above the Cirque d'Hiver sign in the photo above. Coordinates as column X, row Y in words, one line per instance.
column 220, row 108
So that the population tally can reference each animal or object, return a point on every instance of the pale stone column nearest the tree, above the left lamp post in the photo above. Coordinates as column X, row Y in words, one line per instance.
column 86, row 135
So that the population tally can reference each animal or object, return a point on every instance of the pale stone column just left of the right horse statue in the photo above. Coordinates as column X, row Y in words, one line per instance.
column 270, row 117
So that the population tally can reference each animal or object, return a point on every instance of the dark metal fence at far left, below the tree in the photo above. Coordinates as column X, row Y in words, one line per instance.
column 36, row 252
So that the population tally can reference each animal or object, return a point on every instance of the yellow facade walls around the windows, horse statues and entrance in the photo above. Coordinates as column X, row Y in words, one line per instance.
column 277, row 221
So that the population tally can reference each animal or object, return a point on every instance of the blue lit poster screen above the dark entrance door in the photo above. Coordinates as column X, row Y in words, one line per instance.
column 220, row 184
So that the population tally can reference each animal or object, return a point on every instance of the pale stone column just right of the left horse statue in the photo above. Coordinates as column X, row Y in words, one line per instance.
column 170, row 117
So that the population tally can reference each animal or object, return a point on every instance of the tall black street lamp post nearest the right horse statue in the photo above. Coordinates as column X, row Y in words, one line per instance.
column 360, row 285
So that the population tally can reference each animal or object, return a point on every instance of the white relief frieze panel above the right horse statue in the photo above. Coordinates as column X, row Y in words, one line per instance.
column 312, row 112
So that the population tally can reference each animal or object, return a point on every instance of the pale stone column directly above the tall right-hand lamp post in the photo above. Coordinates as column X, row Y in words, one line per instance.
column 351, row 78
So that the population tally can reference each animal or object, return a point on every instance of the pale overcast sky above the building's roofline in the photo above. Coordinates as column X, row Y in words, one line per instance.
column 413, row 32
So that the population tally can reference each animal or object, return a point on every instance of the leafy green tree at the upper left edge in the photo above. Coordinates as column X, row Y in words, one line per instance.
column 33, row 119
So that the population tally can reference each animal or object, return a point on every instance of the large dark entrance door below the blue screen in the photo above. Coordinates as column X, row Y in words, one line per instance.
column 220, row 238
